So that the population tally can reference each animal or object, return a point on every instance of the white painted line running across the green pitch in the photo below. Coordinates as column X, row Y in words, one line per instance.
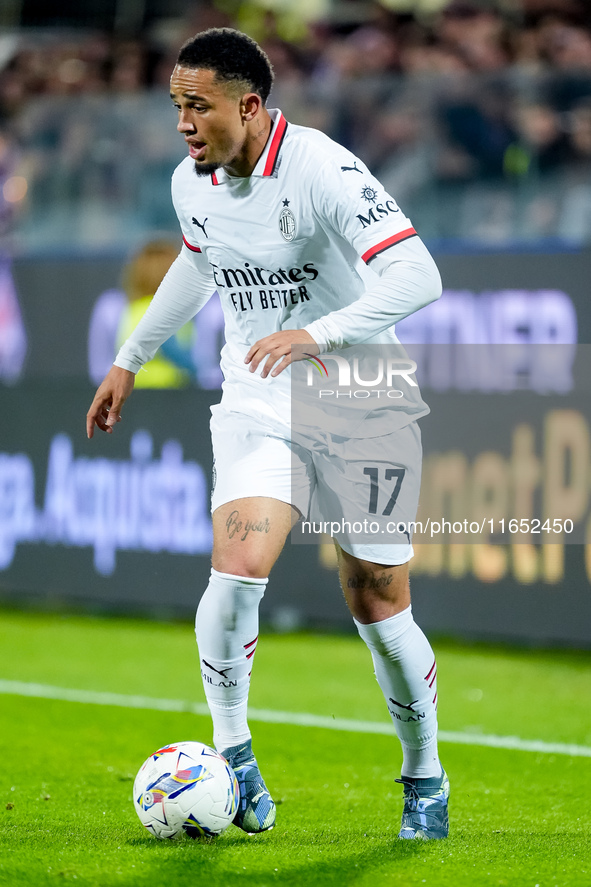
column 301, row 719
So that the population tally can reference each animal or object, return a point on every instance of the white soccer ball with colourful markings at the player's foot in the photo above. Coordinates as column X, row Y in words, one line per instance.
column 186, row 789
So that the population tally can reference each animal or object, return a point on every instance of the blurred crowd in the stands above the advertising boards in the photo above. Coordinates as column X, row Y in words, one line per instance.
column 475, row 114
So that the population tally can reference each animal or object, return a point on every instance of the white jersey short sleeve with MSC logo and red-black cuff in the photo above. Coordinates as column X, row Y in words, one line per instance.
column 357, row 206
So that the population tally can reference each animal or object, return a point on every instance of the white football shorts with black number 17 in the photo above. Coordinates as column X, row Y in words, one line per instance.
column 363, row 492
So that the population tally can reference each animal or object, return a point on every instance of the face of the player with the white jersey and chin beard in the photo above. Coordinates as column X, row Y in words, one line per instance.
column 210, row 118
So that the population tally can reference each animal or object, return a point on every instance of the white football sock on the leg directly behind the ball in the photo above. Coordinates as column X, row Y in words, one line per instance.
column 227, row 627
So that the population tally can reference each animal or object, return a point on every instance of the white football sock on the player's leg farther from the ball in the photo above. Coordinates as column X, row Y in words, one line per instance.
column 405, row 669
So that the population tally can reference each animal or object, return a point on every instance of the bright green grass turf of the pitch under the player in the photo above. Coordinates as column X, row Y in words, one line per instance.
column 66, row 815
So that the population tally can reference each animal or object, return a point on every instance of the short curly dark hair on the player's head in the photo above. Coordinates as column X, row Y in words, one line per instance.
column 232, row 55
